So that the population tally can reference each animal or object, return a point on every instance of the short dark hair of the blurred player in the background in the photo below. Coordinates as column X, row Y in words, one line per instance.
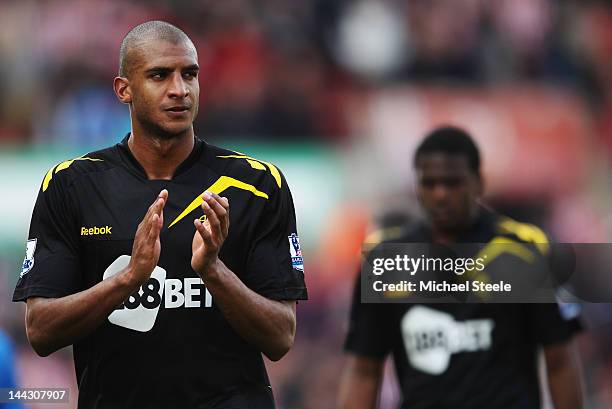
column 451, row 141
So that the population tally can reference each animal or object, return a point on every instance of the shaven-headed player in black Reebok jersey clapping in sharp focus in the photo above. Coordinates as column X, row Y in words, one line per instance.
column 172, row 309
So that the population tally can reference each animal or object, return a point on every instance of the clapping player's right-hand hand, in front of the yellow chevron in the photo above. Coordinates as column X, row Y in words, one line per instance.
column 211, row 233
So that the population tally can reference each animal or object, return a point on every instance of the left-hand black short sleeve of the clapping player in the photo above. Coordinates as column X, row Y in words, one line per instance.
column 51, row 265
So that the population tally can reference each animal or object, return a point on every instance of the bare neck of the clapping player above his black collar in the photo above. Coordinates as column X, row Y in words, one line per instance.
column 160, row 157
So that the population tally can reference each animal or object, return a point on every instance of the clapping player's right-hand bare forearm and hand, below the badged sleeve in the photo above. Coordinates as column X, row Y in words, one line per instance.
column 267, row 324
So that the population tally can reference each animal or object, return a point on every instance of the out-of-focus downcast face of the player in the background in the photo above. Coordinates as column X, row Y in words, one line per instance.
column 447, row 189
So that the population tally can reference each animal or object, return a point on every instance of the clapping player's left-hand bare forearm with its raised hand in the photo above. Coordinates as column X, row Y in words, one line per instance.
column 52, row 323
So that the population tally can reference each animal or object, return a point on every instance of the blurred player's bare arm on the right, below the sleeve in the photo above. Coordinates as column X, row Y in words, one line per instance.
column 564, row 376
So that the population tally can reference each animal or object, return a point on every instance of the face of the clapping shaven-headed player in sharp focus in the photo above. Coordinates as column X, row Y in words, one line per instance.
column 165, row 92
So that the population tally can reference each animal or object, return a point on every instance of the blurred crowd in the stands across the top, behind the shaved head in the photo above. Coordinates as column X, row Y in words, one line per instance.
column 285, row 70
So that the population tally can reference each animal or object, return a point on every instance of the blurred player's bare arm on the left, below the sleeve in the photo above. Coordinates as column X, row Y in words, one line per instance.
column 360, row 383
